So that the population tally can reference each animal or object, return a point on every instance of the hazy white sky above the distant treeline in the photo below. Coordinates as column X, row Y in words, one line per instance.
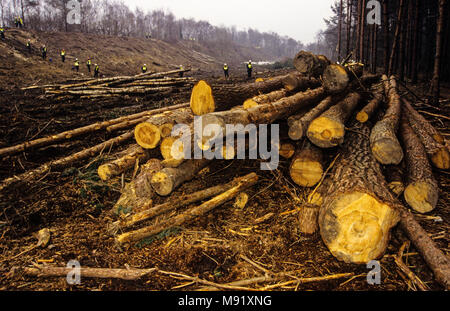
column 299, row 19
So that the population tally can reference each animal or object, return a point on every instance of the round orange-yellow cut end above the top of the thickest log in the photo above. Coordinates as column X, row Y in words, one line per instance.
column 326, row 133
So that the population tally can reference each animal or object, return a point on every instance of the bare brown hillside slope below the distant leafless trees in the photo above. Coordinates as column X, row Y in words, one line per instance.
column 115, row 56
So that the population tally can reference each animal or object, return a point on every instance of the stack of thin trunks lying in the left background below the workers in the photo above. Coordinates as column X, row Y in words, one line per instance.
column 141, row 84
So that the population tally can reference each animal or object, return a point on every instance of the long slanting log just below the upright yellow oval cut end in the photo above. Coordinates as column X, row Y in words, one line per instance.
column 262, row 114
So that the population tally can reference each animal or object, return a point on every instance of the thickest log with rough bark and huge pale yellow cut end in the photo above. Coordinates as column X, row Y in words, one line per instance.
column 358, row 210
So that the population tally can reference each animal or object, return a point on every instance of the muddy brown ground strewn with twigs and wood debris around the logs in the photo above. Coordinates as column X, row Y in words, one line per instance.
column 76, row 207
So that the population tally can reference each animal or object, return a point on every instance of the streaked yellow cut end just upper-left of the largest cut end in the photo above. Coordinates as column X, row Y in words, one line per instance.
column 306, row 173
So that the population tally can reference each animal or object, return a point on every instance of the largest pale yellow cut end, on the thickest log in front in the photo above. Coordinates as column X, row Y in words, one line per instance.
column 357, row 227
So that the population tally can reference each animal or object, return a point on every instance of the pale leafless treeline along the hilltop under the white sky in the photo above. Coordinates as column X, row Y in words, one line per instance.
column 110, row 17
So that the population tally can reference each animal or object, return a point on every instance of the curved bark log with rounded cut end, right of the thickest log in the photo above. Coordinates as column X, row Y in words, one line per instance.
column 422, row 191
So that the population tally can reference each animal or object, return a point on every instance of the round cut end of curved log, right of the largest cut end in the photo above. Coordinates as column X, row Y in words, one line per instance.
column 422, row 196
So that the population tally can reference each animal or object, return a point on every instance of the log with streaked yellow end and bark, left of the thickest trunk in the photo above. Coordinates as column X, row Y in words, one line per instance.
column 306, row 168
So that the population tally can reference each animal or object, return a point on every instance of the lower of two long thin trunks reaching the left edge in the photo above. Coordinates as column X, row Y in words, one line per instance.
column 34, row 174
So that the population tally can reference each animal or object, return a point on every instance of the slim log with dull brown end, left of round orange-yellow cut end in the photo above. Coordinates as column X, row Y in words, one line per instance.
column 299, row 123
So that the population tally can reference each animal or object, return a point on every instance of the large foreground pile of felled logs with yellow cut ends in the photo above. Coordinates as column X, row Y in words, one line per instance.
column 376, row 147
